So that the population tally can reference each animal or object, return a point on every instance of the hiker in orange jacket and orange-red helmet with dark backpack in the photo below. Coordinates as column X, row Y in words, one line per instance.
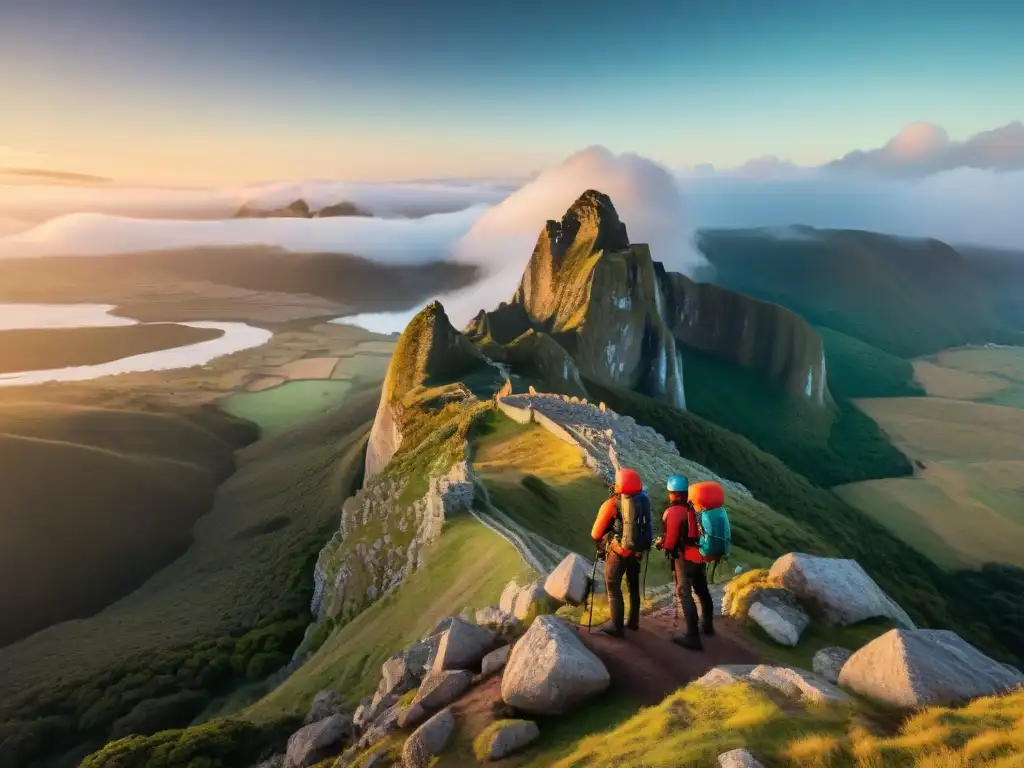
column 624, row 533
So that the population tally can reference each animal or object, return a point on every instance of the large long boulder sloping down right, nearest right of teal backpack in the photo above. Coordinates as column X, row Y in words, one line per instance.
column 841, row 589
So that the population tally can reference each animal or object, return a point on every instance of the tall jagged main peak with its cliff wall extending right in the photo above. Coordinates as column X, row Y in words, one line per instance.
column 624, row 319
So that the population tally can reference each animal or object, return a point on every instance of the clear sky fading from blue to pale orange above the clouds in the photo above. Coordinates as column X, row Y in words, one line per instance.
column 225, row 91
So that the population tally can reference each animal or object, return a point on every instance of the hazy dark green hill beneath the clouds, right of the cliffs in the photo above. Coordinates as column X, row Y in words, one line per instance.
column 908, row 297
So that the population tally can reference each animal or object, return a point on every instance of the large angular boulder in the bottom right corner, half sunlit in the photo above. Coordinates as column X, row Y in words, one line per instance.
column 921, row 668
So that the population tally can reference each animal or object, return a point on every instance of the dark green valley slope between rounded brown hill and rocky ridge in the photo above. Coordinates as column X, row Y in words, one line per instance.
column 231, row 609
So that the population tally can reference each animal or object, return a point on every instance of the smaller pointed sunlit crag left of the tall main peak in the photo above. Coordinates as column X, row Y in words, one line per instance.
column 430, row 352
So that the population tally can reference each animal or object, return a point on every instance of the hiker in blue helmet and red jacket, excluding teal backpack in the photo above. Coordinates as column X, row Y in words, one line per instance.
column 690, row 568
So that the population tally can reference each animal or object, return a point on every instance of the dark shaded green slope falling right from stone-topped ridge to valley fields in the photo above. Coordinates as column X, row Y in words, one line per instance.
column 911, row 578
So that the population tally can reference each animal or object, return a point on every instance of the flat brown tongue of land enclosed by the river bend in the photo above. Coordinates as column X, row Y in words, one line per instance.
column 40, row 350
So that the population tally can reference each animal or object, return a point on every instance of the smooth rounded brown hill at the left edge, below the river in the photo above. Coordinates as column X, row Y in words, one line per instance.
column 133, row 482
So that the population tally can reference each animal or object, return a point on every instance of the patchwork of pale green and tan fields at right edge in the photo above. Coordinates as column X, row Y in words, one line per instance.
column 965, row 506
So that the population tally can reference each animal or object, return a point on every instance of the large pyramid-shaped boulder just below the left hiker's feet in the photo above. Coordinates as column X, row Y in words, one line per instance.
column 550, row 671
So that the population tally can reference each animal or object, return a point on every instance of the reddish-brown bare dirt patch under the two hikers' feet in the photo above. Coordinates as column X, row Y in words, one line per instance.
column 650, row 667
